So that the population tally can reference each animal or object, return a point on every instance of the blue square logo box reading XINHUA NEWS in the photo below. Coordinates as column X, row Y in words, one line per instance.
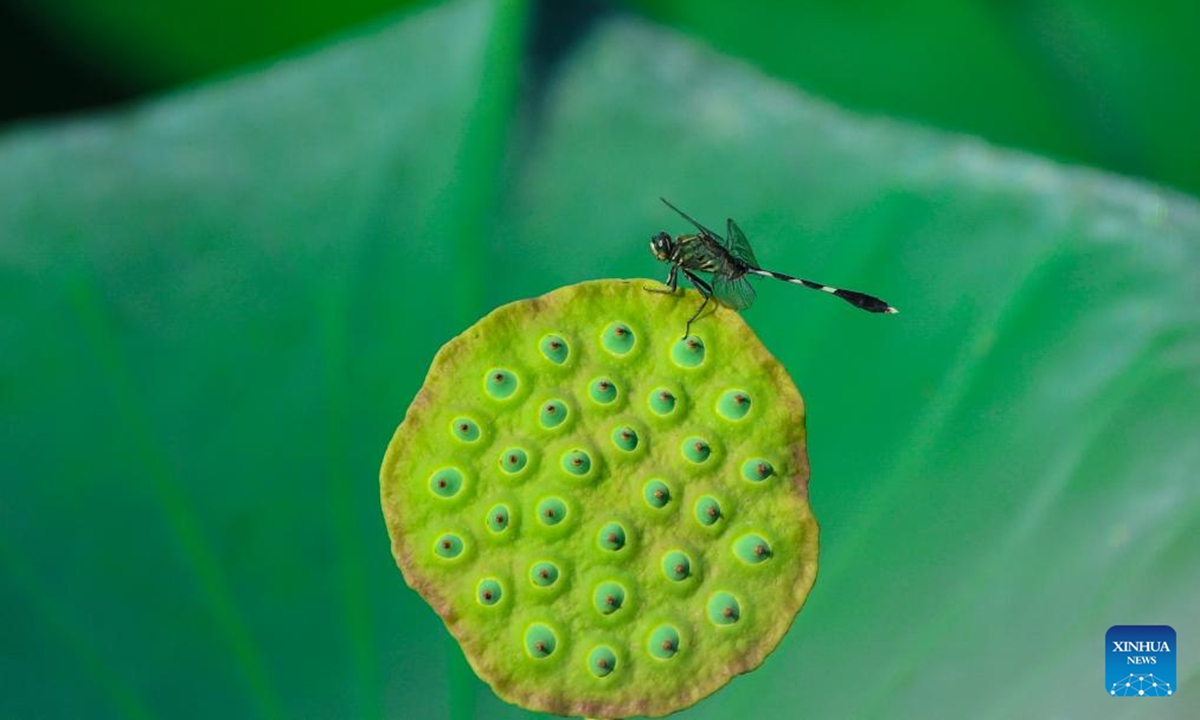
column 1139, row 662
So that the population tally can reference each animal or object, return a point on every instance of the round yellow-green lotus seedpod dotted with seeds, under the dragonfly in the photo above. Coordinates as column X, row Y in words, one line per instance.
column 611, row 520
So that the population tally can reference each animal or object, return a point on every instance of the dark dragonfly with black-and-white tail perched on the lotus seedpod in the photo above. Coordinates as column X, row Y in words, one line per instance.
column 729, row 263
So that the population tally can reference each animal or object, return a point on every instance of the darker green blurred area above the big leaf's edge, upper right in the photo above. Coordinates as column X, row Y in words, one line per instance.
column 1084, row 81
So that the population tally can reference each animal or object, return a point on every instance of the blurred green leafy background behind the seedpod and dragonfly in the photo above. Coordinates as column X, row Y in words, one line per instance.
column 220, row 301
